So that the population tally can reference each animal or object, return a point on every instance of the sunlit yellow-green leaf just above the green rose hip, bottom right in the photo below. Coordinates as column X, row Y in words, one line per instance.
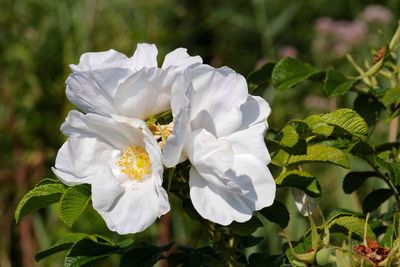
column 350, row 223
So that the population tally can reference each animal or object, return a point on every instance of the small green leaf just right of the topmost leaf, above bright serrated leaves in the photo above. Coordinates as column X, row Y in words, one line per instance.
column 336, row 84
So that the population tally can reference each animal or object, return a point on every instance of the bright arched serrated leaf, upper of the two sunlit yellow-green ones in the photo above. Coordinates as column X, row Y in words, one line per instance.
column 348, row 120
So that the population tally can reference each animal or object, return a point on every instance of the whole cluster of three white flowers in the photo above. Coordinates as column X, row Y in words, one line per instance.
column 116, row 146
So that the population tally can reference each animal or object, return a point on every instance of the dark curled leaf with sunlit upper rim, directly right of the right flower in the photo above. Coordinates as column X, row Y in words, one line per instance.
column 301, row 180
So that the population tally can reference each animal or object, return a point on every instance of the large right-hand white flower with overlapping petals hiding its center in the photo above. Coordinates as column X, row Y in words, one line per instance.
column 220, row 128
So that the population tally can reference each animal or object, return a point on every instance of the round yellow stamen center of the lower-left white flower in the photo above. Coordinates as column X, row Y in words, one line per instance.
column 135, row 162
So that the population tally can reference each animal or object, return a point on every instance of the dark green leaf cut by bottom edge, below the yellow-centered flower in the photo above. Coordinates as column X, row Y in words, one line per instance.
column 88, row 251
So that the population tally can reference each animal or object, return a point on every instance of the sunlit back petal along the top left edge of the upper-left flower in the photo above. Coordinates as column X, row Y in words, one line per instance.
column 99, row 60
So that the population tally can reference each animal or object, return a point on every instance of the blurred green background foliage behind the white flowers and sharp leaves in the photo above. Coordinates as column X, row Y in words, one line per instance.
column 40, row 38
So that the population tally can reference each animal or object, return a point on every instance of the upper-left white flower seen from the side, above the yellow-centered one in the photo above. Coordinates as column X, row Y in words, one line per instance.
column 110, row 83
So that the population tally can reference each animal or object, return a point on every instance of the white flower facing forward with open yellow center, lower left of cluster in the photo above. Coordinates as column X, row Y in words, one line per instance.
column 121, row 160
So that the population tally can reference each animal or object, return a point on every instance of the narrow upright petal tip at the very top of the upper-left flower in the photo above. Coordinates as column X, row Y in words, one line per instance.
column 145, row 56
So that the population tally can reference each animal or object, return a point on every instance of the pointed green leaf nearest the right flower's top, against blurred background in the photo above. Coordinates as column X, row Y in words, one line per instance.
column 288, row 72
